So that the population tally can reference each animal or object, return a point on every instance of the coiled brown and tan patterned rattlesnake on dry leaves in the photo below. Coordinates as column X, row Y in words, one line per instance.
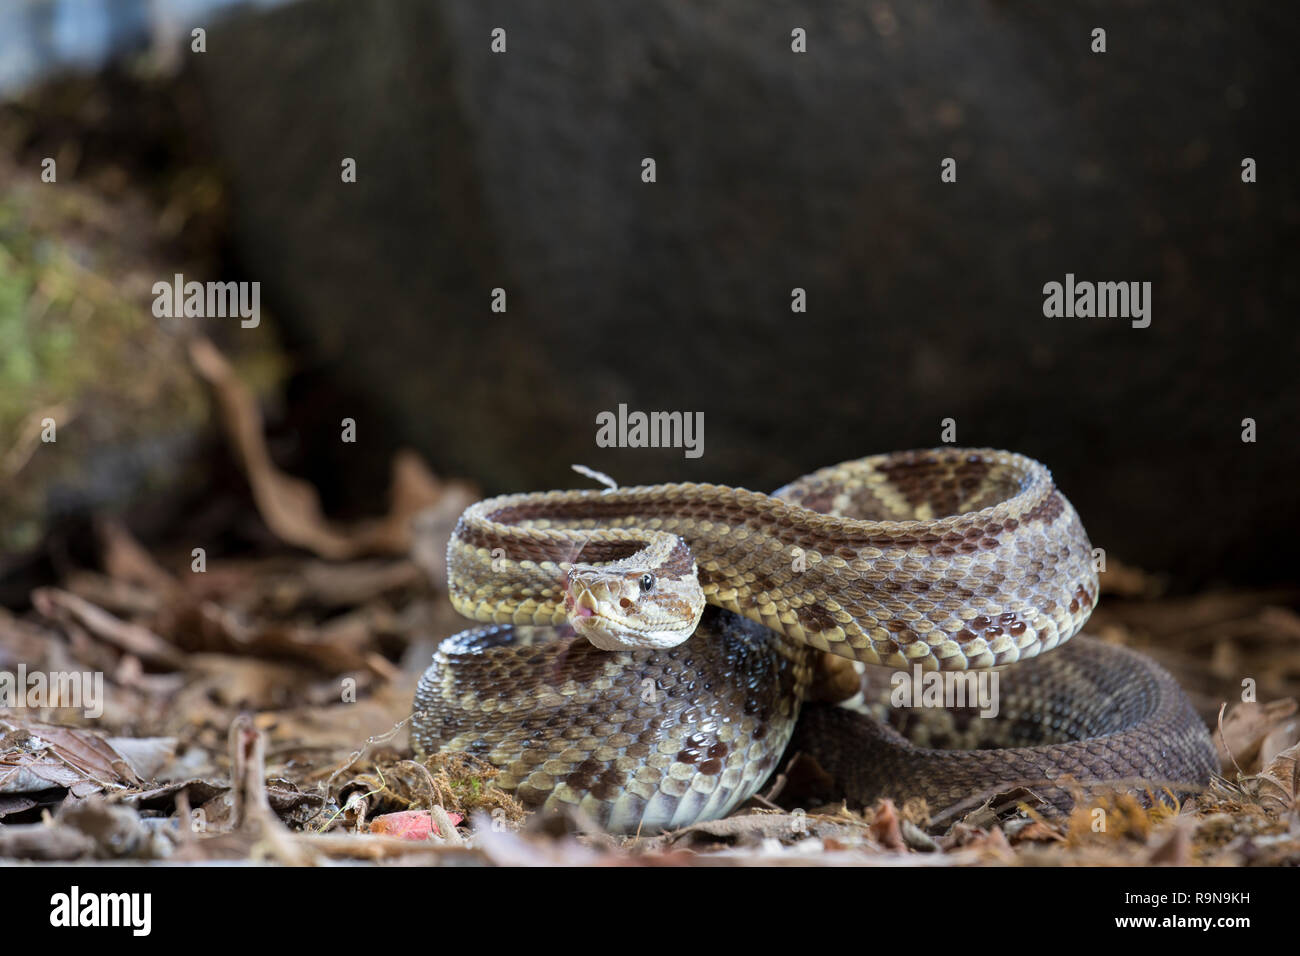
column 651, row 652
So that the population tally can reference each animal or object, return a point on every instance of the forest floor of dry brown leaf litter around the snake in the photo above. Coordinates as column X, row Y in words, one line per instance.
column 255, row 707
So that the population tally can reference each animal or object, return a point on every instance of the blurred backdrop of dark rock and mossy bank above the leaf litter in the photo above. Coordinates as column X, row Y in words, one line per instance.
column 522, row 171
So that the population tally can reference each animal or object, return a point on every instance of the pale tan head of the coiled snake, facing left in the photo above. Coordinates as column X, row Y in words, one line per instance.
column 627, row 608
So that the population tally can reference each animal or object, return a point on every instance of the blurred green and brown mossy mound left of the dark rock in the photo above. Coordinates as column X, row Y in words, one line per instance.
column 80, row 344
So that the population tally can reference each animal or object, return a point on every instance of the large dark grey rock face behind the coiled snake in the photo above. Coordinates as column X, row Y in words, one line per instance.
column 775, row 171
